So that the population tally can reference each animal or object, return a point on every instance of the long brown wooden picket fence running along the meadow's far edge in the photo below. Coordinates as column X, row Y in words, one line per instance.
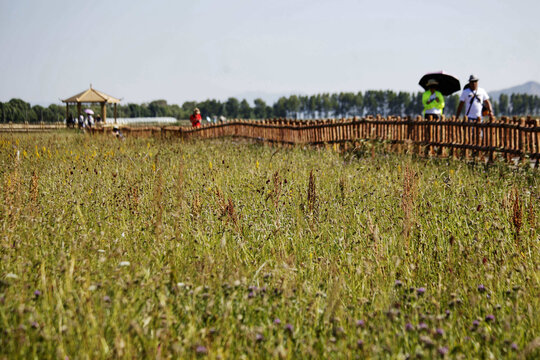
column 511, row 137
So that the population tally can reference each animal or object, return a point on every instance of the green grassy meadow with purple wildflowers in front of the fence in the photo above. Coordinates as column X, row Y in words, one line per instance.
column 150, row 248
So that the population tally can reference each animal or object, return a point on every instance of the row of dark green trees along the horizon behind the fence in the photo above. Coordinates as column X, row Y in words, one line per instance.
column 345, row 104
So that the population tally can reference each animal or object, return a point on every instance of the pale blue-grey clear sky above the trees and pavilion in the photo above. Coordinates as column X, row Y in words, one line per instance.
column 183, row 50
